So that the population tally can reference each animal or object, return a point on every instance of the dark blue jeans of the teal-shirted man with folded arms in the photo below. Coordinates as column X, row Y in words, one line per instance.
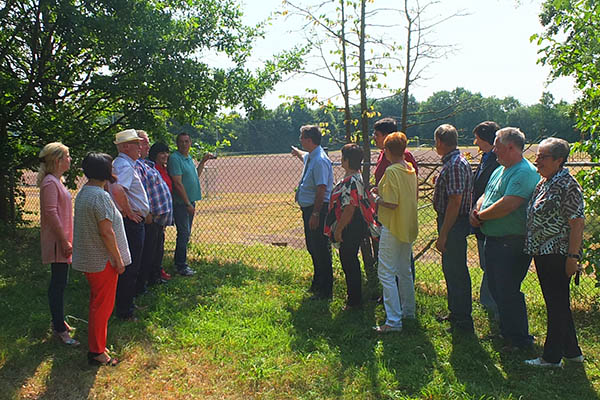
column 506, row 266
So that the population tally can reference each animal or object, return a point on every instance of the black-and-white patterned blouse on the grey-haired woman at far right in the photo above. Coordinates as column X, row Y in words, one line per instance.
column 553, row 204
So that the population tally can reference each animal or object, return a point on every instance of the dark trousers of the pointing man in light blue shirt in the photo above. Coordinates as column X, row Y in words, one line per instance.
column 319, row 248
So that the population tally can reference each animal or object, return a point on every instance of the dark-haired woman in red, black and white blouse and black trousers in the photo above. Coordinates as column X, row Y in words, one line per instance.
column 350, row 219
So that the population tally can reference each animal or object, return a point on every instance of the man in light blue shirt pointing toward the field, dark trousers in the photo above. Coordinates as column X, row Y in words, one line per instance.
column 314, row 191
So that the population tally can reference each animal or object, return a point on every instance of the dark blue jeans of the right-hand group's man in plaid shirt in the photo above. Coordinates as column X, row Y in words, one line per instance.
column 456, row 273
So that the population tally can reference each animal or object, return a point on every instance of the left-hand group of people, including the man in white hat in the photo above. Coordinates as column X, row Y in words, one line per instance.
column 115, row 234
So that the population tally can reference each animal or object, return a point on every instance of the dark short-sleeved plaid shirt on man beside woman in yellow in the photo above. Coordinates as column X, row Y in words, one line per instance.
column 456, row 177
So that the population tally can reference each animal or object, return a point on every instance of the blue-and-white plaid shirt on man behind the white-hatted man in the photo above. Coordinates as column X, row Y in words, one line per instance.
column 159, row 196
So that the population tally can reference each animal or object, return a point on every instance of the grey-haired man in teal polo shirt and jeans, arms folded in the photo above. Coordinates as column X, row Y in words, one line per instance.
column 500, row 212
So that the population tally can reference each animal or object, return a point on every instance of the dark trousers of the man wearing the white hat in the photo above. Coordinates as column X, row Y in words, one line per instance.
column 126, row 286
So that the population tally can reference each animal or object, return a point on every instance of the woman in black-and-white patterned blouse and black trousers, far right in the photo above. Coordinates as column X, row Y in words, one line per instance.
column 555, row 222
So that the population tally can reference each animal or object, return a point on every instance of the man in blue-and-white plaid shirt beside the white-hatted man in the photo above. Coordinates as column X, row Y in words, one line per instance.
column 161, row 214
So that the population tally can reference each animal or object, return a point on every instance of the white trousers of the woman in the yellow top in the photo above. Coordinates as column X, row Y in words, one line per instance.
column 394, row 263
